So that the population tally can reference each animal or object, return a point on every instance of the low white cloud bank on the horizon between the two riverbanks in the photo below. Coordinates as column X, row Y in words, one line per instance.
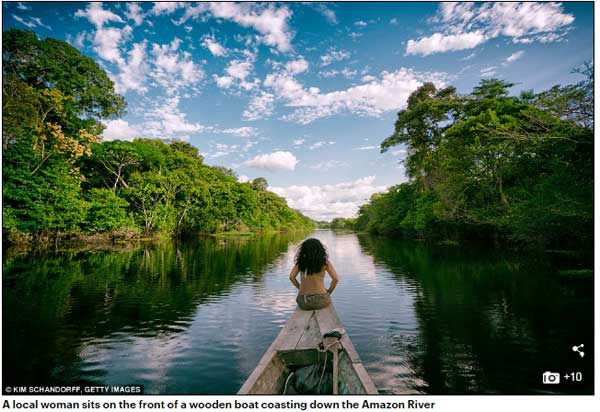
column 330, row 201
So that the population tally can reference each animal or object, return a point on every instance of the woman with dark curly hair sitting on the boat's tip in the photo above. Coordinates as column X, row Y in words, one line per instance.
column 312, row 263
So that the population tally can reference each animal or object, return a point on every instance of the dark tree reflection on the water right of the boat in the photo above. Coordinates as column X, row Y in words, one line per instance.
column 487, row 324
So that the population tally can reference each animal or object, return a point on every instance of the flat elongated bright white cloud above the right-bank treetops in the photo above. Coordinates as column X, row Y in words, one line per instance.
column 438, row 43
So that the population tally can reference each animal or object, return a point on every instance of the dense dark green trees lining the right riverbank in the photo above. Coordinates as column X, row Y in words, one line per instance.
column 489, row 165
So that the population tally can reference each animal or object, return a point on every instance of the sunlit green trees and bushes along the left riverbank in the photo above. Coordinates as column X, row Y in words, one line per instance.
column 60, row 181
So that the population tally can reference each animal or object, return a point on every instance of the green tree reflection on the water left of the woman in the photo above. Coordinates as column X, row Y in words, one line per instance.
column 54, row 303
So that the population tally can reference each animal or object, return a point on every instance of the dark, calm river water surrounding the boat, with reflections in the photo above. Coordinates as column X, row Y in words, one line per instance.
column 194, row 317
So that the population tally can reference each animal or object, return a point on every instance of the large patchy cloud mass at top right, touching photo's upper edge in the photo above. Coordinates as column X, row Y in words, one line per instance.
column 466, row 25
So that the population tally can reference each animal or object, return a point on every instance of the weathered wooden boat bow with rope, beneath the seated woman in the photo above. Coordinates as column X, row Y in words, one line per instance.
column 297, row 345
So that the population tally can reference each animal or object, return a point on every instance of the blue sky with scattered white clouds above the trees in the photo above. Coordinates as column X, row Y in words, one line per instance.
column 303, row 94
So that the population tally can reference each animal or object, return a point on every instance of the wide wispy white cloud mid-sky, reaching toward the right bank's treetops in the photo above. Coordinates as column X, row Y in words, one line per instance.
column 388, row 92
